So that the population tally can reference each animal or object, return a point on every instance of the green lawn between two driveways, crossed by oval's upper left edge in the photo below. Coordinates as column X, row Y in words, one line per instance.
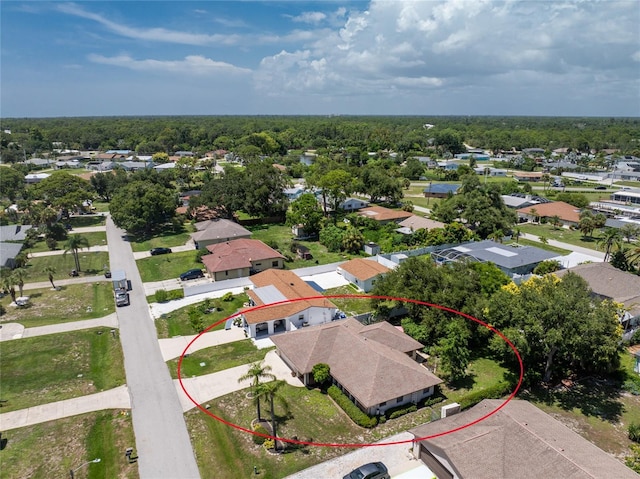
column 218, row 358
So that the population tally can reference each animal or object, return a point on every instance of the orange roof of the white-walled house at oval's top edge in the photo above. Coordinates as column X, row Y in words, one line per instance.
column 290, row 286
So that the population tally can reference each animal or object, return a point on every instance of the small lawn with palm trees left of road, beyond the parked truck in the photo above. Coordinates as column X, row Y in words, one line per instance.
column 91, row 264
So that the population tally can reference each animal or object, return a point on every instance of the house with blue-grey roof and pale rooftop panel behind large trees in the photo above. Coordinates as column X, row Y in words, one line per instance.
column 512, row 259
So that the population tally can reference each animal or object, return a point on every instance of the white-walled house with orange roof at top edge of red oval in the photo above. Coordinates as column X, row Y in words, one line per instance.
column 274, row 286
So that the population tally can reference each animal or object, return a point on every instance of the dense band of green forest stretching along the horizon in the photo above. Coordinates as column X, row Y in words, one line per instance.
column 276, row 135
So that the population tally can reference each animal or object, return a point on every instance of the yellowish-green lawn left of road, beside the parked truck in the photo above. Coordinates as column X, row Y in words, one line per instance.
column 70, row 303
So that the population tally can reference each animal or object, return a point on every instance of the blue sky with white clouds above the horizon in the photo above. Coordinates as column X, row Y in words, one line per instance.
column 449, row 57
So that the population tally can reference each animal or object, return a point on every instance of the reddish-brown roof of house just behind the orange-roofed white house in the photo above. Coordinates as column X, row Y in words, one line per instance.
column 237, row 254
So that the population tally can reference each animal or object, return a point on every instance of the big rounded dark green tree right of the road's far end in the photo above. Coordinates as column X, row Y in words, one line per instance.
column 141, row 207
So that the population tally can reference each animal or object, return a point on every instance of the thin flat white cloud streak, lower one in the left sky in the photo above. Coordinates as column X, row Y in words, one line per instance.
column 192, row 64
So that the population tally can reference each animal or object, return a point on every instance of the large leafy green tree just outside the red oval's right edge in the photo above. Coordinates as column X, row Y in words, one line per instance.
column 557, row 326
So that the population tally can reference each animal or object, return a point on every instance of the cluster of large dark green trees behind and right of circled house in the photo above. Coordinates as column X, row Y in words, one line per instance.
column 556, row 325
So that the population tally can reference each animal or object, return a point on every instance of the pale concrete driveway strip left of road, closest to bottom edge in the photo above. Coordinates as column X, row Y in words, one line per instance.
column 117, row 398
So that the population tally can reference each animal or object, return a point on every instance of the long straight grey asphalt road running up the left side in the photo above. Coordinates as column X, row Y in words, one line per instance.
column 162, row 441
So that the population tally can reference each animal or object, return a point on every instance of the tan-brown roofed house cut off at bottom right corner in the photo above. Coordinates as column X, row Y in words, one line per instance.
column 519, row 440
